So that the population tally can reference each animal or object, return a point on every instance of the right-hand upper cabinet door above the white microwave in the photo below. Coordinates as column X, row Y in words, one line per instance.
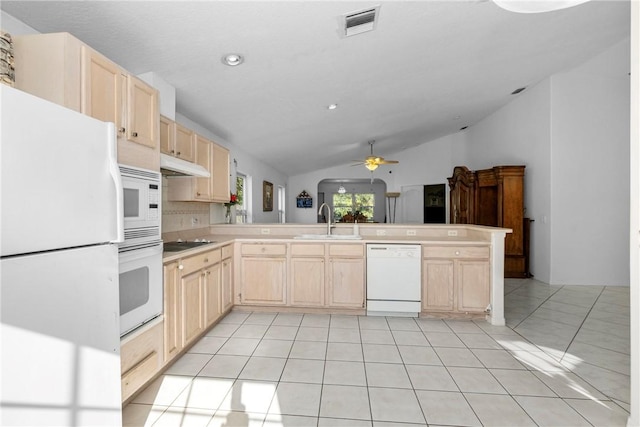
column 142, row 113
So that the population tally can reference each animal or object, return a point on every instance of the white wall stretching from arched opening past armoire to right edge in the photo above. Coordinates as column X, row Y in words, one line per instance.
column 571, row 132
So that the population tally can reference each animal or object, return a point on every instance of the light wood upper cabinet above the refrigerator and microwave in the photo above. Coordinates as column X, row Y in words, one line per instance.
column 62, row 69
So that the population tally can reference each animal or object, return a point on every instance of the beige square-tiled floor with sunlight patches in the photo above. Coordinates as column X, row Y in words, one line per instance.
column 562, row 360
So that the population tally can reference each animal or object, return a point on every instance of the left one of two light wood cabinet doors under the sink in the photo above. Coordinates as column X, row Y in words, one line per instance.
column 307, row 282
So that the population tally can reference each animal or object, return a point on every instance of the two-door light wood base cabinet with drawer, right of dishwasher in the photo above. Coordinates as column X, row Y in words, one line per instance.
column 455, row 279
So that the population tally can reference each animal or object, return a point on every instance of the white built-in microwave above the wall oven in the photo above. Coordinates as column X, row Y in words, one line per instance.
column 142, row 194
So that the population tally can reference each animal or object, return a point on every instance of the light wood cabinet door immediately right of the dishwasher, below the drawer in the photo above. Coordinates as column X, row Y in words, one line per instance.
column 437, row 285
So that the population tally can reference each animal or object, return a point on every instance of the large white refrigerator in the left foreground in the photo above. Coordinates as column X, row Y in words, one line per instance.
column 60, row 221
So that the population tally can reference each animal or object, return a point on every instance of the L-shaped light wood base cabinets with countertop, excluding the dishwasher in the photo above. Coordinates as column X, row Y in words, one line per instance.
column 272, row 267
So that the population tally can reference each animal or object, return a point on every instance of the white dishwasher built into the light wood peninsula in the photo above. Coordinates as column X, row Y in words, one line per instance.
column 393, row 280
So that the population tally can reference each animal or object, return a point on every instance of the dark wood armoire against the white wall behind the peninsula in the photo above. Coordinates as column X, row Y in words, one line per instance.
column 494, row 197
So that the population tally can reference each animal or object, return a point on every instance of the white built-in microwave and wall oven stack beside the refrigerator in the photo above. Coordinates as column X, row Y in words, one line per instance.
column 141, row 253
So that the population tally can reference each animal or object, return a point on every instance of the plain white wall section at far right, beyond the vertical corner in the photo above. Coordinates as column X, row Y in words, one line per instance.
column 590, row 171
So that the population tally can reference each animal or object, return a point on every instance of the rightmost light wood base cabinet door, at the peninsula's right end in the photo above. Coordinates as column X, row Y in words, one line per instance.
column 472, row 279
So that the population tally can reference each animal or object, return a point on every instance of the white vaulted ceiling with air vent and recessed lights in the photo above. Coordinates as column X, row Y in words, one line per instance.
column 428, row 68
